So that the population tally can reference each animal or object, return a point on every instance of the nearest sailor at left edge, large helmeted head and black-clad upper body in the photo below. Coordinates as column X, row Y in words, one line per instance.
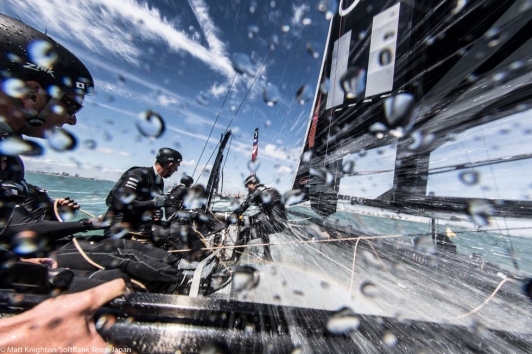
column 50, row 96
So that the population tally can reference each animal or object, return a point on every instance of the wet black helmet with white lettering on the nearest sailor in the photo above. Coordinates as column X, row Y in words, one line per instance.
column 28, row 54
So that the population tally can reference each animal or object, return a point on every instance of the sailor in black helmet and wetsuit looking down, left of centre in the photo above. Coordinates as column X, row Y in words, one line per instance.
column 138, row 195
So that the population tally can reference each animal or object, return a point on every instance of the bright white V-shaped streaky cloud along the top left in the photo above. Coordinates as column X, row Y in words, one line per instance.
column 110, row 26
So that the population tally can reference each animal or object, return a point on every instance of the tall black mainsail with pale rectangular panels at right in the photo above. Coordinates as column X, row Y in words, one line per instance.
column 409, row 89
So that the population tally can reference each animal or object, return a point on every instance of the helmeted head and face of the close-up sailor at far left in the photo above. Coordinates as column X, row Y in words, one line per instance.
column 51, row 93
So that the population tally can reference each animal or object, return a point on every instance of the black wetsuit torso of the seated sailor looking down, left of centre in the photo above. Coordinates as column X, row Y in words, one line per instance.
column 131, row 203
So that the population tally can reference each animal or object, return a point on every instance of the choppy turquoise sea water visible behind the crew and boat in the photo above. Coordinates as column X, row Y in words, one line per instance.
column 501, row 248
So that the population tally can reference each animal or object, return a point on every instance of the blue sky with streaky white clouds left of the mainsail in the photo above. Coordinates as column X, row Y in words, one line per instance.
column 203, row 66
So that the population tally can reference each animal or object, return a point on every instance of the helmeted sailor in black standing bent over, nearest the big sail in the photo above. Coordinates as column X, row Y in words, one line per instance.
column 272, row 218
